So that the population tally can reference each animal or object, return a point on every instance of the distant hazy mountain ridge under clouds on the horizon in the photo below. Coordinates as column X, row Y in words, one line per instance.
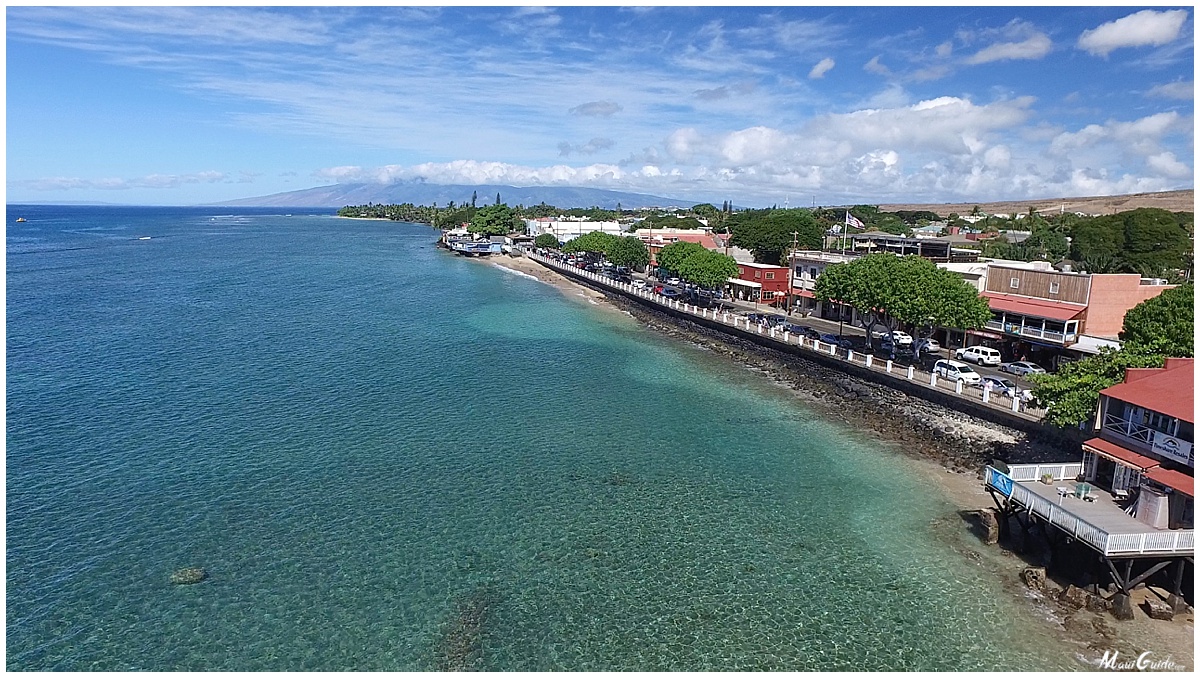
column 419, row 194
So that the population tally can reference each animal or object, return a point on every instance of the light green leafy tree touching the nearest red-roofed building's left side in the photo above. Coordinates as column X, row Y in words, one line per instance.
column 1072, row 394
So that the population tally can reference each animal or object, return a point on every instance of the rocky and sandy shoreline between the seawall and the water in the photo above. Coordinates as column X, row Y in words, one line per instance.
column 947, row 448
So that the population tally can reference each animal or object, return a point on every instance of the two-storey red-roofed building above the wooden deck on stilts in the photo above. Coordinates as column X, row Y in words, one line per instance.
column 1145, row 442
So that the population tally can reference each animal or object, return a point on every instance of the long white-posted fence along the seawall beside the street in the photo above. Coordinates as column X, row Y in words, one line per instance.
column 911, row 374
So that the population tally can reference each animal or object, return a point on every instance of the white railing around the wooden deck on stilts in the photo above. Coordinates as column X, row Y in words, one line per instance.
column 1125, row 544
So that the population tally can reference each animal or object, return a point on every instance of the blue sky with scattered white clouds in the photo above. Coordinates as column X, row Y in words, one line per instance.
column 754, row 105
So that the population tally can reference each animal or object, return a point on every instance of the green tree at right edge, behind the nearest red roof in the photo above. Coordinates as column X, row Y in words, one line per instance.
column 1163, row 326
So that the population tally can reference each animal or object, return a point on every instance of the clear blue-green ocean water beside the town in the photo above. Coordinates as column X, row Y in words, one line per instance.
column 388, row 458
